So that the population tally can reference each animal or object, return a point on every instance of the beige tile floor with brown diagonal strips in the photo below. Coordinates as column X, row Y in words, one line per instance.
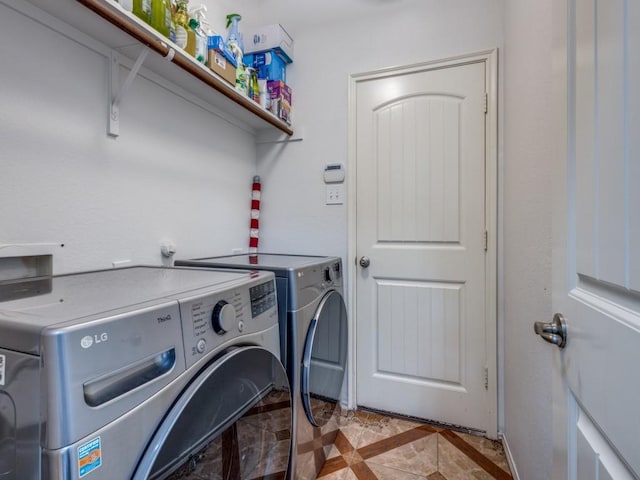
column 371, row 446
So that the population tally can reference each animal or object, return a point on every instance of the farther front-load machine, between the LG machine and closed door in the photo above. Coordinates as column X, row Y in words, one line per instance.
column 314, row 317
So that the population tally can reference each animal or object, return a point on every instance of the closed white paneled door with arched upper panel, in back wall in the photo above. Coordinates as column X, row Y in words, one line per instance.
column 421, row 277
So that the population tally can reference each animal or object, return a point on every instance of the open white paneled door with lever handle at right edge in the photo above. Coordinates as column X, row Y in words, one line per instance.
column 596, row 261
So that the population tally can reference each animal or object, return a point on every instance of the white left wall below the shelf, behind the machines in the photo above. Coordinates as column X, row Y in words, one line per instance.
column 177, row 171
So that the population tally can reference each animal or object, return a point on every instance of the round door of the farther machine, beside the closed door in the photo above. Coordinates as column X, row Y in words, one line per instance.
column 325, row 358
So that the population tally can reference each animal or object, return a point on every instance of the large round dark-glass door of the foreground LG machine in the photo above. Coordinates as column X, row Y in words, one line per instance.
column 233, row 421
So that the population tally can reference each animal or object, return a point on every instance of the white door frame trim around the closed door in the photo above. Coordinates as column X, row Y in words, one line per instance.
column 490, row 58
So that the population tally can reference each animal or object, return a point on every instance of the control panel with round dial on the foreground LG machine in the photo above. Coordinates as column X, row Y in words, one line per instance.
column 212, row 319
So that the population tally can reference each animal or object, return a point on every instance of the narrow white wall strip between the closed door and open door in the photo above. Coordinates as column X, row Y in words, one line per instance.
column 527, row 233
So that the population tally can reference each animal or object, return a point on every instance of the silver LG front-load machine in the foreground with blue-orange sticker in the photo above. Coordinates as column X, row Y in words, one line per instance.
column 144, row 372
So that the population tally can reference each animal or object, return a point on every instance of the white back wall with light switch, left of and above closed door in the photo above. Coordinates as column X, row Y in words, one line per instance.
column 294, row 215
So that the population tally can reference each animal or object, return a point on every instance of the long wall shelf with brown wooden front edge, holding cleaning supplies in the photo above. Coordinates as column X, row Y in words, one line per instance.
column 124, row 32
